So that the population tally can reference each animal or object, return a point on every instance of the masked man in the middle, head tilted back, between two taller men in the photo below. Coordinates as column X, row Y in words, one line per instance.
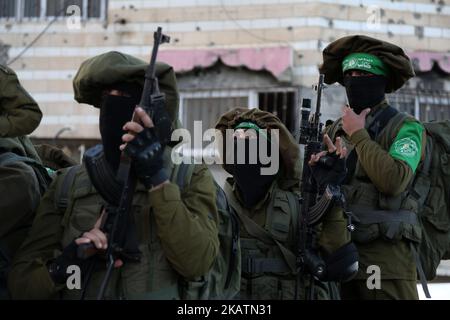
column 268, row 208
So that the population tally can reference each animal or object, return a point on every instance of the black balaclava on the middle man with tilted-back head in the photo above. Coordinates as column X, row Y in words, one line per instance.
column 252, row 185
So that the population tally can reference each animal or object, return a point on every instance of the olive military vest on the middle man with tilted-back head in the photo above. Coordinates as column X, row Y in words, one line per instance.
column 268, row 259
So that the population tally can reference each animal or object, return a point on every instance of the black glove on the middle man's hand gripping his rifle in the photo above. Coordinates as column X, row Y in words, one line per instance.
column 331, row 170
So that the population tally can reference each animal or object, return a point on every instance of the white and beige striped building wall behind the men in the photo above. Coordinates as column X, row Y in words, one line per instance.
column 47, row 68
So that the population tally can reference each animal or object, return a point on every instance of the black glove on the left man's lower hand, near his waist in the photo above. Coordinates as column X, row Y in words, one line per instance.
column 57, row 268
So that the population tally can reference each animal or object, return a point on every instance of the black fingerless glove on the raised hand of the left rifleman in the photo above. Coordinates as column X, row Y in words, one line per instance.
column 145, row 150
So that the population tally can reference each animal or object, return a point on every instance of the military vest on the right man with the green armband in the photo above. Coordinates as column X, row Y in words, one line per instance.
column 378, row 215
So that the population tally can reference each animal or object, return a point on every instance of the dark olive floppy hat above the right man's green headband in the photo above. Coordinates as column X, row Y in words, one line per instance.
column 393, row 57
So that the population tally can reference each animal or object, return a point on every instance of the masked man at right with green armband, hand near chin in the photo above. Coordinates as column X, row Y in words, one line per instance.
column 385, row 148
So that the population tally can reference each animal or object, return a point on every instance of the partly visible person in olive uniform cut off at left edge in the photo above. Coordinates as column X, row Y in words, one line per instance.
column 22, row 177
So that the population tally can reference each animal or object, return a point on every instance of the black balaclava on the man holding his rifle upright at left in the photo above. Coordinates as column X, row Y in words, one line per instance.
column 115, row 111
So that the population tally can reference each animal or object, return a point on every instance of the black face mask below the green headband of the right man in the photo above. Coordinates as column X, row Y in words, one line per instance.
column 364, row 92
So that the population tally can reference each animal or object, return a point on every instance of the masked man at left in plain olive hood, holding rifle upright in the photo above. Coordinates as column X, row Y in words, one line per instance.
column 175, row 230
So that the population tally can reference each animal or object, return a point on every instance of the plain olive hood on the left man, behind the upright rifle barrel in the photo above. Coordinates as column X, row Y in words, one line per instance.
column 104, row 71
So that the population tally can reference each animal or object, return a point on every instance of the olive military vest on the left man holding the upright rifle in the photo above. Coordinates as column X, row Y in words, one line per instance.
column 152, row 278
